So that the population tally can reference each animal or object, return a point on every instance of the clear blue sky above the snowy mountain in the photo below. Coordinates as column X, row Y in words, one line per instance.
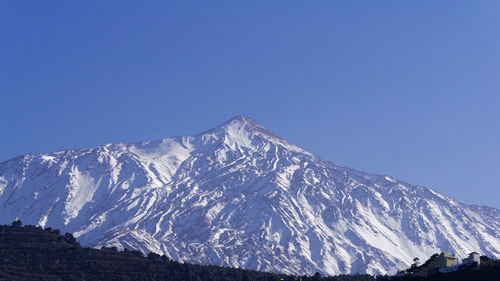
column 405, row 88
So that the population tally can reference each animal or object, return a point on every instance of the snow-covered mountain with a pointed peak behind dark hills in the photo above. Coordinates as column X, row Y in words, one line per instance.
column 240, row 196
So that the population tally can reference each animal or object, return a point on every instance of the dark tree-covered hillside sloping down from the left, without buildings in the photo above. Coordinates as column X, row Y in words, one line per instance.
column 33, row 253
